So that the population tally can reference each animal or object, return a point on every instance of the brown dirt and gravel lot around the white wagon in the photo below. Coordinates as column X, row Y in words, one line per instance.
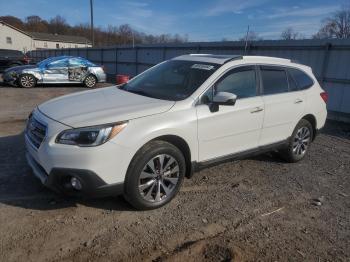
column 223, row 213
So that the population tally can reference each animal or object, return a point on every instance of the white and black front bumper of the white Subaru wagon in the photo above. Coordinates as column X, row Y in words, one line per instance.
column 101, row 170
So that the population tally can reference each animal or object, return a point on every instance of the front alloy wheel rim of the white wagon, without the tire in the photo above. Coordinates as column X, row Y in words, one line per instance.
column 159, row 178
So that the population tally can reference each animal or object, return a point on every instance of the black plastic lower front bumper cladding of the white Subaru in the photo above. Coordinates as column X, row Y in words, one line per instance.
column 59, row 181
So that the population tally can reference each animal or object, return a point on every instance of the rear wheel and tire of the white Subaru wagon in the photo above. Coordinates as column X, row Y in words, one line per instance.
column 299, row 142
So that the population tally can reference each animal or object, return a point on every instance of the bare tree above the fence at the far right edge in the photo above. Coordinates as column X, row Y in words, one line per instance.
column 337, row 26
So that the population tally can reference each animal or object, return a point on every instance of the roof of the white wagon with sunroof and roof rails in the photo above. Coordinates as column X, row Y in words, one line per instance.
column 222, row 59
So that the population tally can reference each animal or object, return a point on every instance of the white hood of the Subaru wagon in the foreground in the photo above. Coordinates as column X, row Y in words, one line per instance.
column 101, row 106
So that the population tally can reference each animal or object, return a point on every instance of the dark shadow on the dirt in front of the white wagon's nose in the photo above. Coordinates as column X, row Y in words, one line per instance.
column 19, row 187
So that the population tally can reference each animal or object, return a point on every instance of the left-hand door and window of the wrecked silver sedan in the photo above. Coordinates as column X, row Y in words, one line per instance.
column 56, row 71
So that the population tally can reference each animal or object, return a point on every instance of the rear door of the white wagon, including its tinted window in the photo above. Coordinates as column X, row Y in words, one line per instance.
column 284, row 104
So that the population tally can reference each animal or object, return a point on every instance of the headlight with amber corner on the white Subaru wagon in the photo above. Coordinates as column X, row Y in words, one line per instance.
column 90, row 136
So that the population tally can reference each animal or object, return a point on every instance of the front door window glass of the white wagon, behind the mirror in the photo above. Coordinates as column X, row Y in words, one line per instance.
column 240, row 81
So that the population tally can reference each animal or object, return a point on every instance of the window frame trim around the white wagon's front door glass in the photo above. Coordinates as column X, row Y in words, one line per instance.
column 257, row 81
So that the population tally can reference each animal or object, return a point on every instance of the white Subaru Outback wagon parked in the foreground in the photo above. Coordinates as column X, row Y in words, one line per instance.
column 141, row 138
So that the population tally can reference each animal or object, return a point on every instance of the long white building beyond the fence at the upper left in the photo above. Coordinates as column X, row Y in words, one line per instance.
column 14, row 38
